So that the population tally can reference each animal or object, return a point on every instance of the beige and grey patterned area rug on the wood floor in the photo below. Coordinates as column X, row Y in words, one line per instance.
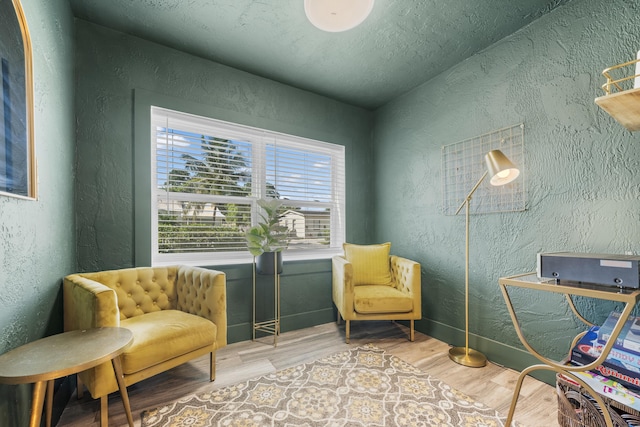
column 360, row 387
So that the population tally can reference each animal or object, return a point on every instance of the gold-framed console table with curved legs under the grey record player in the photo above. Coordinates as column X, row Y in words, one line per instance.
column 629, row 297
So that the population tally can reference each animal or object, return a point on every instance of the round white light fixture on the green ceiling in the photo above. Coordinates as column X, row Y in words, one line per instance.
column 335, row 16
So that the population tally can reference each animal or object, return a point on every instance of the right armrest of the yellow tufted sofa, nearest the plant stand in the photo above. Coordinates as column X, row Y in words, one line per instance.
column 203, row 292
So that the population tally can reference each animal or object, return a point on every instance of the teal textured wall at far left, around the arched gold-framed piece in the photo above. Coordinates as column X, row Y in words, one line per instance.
column 37, row 238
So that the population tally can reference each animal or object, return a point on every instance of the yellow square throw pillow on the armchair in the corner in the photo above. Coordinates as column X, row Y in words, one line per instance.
column 370, row 263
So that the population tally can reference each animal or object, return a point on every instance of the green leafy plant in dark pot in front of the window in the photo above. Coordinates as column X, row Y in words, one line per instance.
column 266, row 240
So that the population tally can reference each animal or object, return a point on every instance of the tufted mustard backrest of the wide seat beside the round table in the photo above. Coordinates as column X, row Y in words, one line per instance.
column 140, row 290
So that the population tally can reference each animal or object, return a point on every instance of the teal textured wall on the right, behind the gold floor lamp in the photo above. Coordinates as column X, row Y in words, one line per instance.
column 581, row 172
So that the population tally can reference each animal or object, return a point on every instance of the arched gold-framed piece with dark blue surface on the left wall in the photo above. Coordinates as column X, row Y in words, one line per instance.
column 17, row 151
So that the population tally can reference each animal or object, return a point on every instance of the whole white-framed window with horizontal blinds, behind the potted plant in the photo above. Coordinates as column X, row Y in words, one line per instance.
column 207, row 176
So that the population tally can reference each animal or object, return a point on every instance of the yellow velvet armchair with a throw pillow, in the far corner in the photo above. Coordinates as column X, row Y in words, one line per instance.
column 370, row 284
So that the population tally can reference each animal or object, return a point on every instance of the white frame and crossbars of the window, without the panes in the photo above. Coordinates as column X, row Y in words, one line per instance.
column 260, row 139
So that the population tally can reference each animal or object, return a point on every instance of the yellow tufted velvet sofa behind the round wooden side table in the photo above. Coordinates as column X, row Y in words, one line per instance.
column 175, row 313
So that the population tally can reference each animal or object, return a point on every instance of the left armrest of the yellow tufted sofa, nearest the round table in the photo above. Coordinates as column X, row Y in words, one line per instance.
column 88, row 304
